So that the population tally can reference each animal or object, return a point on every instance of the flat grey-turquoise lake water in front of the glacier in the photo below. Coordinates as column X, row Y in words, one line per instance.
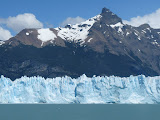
column 79, row 112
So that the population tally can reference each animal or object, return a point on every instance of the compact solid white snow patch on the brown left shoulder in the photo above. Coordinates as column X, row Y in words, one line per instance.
column 46, row 35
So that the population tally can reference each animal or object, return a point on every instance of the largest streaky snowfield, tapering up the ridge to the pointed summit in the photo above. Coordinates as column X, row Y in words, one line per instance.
column 79, row 32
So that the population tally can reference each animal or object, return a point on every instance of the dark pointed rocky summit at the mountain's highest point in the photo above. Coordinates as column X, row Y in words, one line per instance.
column 109, row 17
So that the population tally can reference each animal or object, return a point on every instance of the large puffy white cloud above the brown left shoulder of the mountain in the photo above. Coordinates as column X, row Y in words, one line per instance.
column 21, row 22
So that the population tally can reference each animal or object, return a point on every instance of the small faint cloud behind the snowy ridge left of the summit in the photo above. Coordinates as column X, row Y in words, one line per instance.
column 72, row 21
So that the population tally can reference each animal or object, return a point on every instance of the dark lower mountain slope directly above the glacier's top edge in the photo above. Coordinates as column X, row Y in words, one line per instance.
column 72, row 61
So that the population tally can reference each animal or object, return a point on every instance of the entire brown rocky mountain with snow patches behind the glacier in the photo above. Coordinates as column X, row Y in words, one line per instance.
column 102, row 45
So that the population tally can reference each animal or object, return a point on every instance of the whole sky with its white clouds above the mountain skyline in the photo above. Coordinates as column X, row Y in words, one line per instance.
column 16, row 15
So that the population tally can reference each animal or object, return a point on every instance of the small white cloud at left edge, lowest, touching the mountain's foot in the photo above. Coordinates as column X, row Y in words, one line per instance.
column 4, row 34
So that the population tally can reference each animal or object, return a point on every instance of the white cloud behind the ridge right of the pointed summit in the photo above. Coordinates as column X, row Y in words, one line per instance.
column 152, row 19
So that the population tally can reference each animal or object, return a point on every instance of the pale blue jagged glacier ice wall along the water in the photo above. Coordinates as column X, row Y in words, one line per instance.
column 83, row 90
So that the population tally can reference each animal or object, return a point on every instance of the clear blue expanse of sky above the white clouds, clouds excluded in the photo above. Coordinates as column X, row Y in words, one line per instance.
column 55, row 11
